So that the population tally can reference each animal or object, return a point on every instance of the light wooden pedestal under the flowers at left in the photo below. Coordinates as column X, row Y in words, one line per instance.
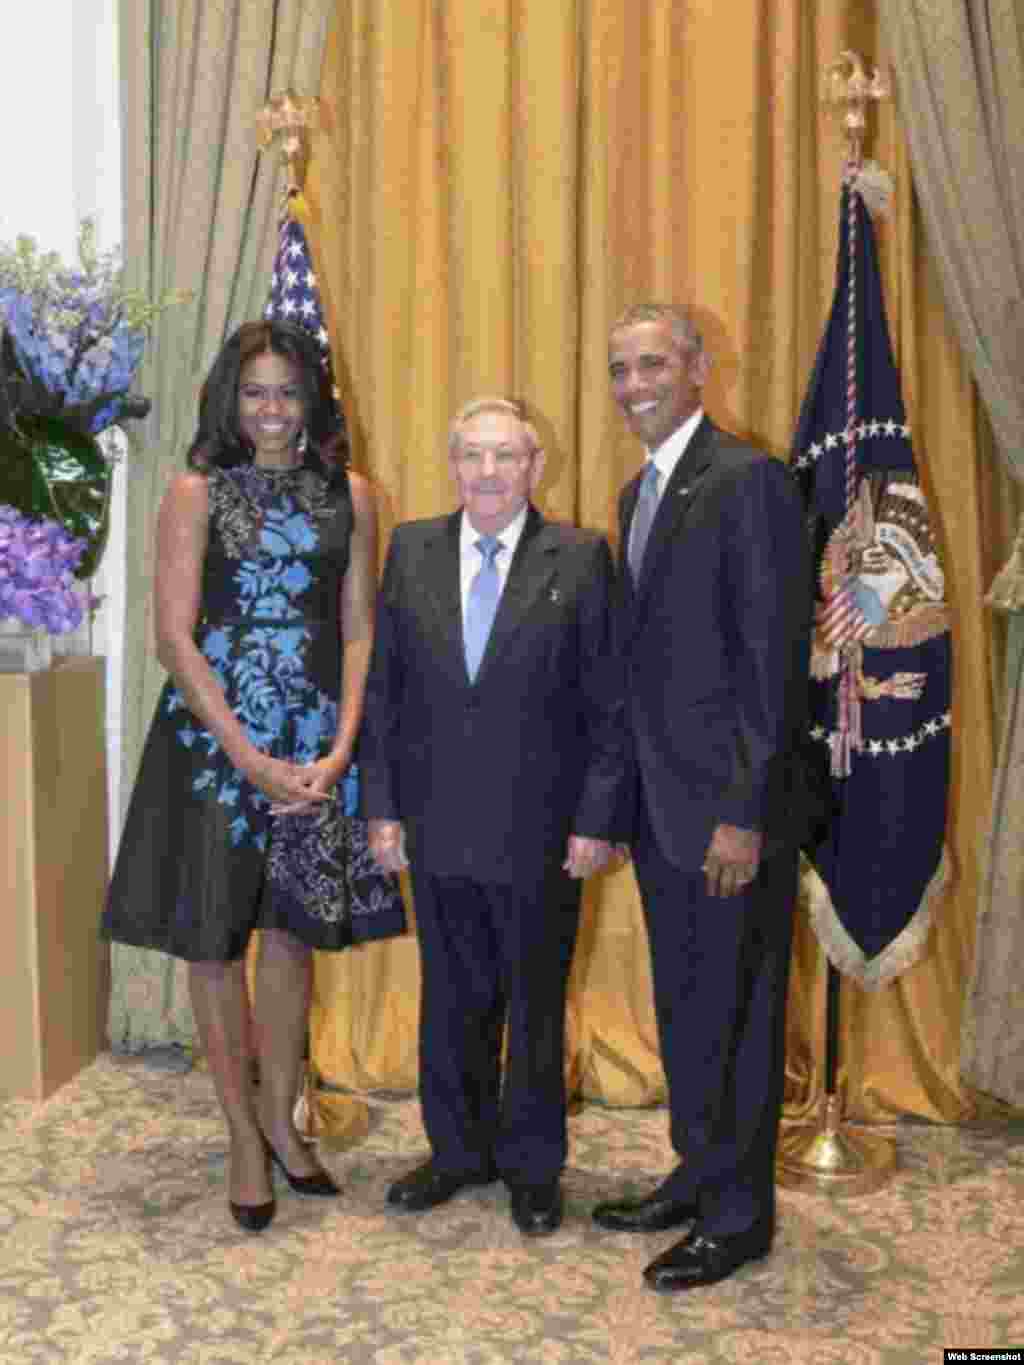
column 53, row 874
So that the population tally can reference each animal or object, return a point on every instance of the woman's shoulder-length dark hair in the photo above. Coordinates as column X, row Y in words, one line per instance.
column 219, row 442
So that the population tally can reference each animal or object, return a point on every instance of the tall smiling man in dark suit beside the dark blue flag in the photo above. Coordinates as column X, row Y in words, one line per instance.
column 716, row 601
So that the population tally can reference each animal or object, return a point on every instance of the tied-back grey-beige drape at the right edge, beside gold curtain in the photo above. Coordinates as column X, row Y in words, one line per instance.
column 962, row 68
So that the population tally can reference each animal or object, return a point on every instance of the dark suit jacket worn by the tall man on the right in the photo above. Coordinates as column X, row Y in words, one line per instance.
column 716, row 645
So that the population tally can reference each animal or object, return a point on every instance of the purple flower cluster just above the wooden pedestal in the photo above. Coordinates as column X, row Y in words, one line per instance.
column 38, row 564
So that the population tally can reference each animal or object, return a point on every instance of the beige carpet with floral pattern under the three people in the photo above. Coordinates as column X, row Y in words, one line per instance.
column 117, row 1246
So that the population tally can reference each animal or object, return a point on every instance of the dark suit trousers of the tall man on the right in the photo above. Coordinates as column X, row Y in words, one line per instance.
column 722, row 968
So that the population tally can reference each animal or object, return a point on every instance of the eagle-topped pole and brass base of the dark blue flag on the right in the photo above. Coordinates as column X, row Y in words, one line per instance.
column 828, row 1154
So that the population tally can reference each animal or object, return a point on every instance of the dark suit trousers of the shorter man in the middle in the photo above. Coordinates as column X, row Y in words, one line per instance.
column 495, row 970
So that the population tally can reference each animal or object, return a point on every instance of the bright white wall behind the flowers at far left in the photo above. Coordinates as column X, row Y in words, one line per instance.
column 62, row 162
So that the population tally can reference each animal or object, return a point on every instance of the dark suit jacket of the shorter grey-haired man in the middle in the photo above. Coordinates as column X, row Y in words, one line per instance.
column 491, row 777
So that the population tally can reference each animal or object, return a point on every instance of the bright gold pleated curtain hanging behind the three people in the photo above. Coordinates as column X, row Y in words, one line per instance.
column 496, row 182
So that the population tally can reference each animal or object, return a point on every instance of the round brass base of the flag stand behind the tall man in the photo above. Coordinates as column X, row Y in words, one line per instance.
column 829, row 1157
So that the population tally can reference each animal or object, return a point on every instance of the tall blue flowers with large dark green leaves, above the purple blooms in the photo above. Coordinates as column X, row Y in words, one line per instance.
column 72, row 341
